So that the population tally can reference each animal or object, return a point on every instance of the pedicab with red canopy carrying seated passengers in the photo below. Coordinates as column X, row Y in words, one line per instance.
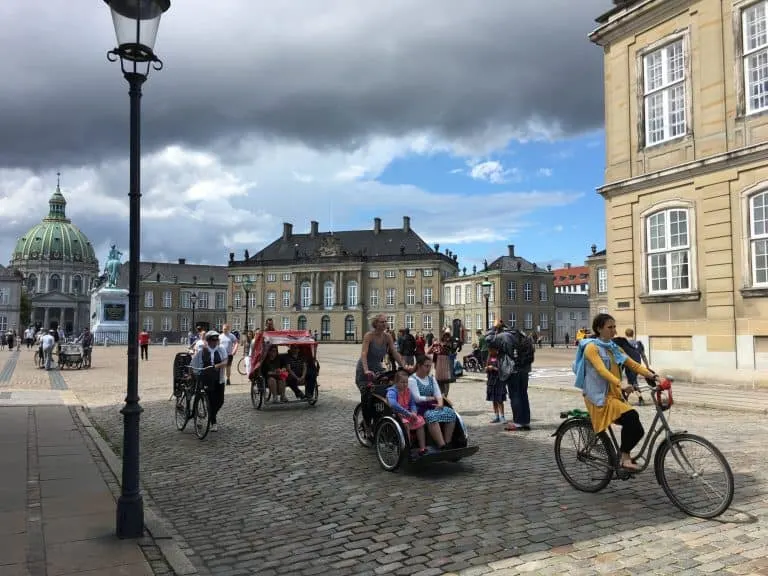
column 302, row 340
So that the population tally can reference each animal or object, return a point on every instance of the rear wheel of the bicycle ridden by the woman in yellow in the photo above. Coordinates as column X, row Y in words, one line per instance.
column 589, row 456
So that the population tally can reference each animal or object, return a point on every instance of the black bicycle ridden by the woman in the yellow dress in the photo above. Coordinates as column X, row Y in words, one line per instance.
column 600, row 454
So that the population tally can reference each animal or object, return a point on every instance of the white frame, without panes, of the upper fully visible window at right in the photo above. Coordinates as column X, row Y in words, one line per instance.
column 665, row 89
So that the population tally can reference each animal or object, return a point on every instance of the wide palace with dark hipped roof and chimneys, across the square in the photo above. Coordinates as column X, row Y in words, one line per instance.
column 334, row 282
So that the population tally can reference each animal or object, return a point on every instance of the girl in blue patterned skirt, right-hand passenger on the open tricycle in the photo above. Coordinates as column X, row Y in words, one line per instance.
column 440, row 419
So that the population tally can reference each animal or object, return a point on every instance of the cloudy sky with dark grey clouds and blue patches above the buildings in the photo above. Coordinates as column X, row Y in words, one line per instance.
column 480, row 120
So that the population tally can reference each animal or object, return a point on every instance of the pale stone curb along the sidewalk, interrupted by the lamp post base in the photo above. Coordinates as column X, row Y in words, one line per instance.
column 153, row 522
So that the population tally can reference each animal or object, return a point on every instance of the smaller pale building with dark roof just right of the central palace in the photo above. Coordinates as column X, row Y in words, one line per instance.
column 521, row 295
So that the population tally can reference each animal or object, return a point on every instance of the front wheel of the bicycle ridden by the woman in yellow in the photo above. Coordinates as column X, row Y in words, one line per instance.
column 701, row 490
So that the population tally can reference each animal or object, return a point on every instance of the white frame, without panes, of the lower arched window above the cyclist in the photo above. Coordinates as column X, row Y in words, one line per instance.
column 667, row 208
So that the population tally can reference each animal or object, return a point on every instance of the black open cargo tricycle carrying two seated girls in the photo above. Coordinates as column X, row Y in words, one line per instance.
column 393, row 442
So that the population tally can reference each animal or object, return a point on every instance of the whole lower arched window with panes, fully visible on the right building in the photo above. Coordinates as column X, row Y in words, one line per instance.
column 669, row 251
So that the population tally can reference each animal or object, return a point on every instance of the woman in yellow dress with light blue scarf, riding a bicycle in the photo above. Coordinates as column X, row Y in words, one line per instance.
column 598, row 365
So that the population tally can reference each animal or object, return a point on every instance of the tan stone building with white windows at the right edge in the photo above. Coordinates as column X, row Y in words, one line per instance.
column 686, row 192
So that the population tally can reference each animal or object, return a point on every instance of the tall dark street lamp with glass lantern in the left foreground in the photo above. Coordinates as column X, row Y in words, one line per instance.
column 136, row 23
